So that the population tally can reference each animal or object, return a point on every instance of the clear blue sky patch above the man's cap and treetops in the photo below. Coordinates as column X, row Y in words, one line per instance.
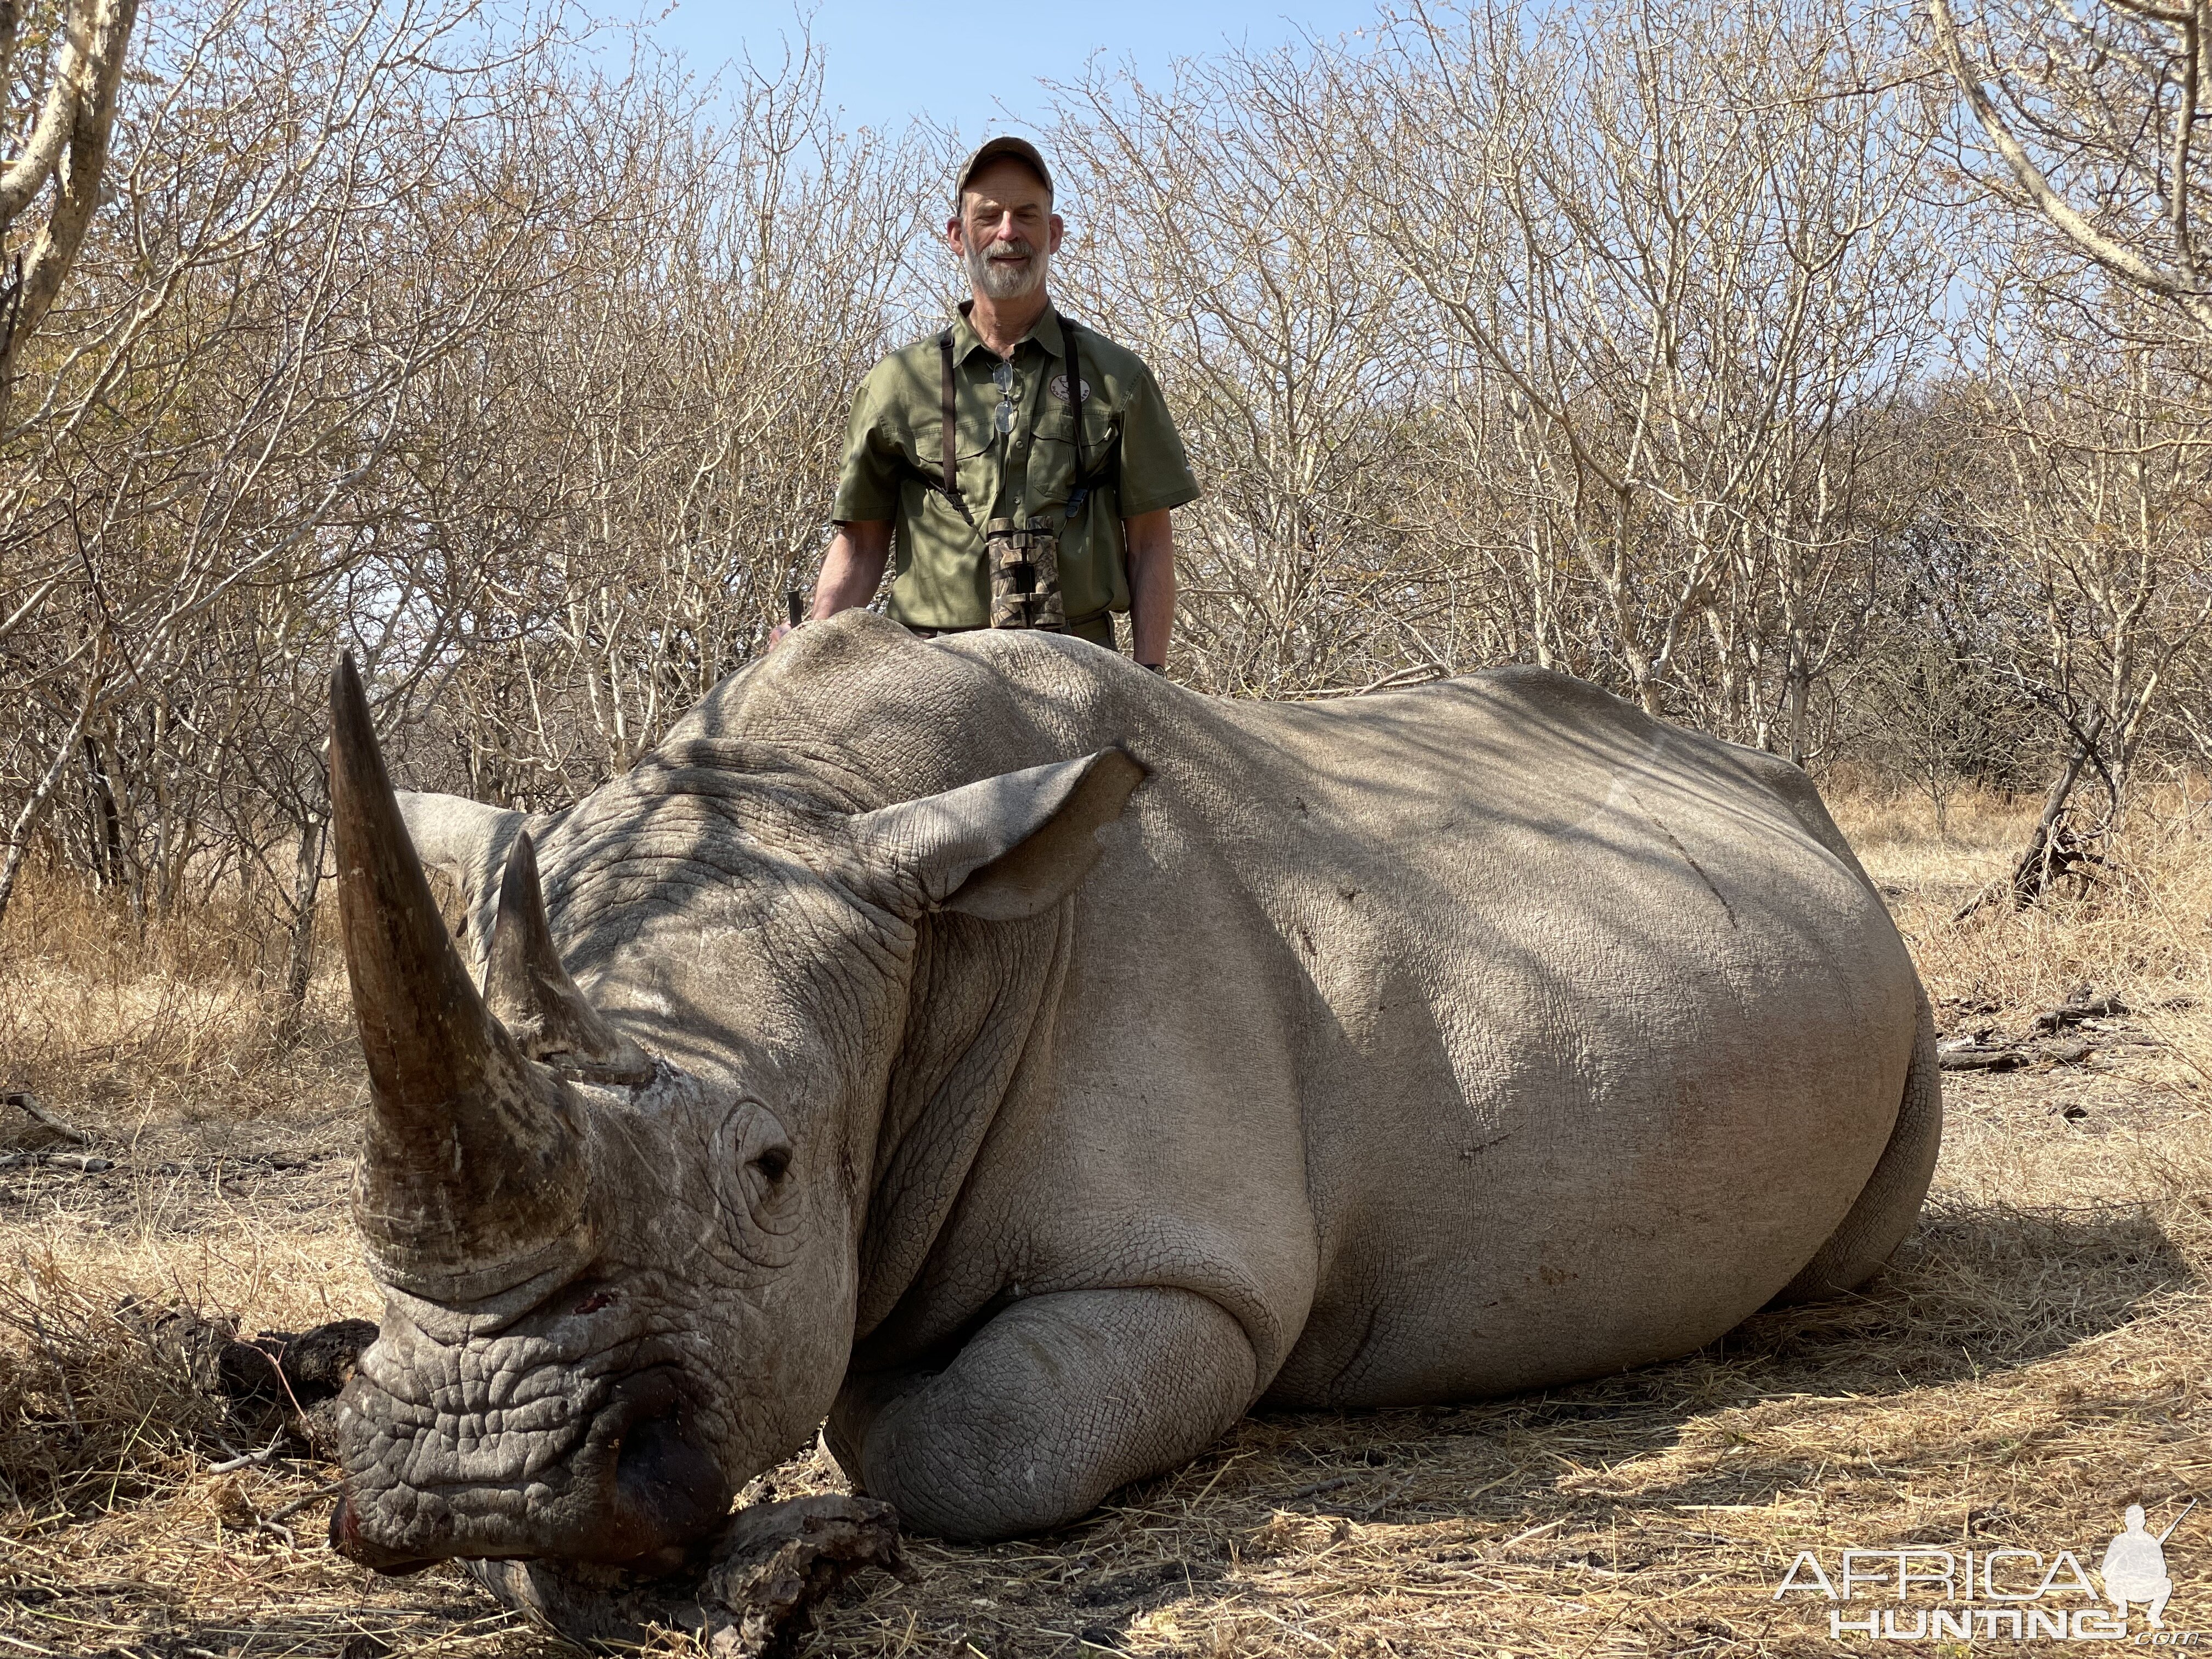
column 979, row 67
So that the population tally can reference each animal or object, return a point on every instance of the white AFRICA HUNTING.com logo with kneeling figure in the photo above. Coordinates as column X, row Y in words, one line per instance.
column 2001, row 1592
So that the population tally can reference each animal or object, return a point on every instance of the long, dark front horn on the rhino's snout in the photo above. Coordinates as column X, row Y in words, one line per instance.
column 474, row 1173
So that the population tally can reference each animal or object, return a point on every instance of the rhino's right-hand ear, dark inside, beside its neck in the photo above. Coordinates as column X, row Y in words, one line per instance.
column 1010, row 846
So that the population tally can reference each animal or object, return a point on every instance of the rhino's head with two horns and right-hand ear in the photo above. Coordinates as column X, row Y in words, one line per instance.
column 616, row 1288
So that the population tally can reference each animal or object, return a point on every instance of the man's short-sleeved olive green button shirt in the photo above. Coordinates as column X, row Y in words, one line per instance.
column 895, row 459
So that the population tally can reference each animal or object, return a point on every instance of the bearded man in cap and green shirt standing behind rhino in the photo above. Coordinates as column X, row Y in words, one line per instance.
column 1045, row 499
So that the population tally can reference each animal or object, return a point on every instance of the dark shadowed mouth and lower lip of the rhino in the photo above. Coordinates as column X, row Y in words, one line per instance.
column 640, row 1492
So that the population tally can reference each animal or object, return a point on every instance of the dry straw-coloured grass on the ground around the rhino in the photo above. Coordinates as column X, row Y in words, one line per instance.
column 2030, row 1364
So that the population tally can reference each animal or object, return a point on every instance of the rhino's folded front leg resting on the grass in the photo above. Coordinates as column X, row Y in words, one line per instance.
column 1050, row 1408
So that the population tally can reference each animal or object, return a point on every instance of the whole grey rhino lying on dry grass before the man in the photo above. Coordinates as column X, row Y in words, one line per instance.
column 1023, row 1067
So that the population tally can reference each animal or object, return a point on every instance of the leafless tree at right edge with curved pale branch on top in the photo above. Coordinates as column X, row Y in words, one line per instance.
column 2085, row 123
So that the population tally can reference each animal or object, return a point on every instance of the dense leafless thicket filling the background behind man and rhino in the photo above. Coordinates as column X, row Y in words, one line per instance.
column 1607, row 342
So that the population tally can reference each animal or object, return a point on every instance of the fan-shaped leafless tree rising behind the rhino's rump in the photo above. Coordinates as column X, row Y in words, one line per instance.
column 1684, row 247
